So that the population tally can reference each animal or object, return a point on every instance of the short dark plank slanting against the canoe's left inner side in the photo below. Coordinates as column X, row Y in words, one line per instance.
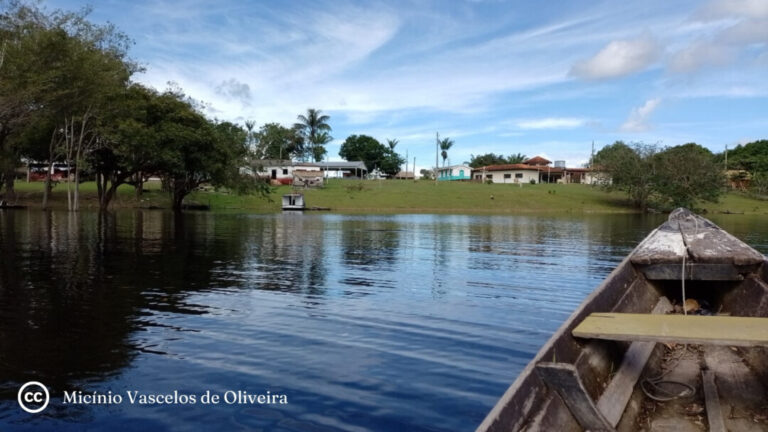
column 564, row 379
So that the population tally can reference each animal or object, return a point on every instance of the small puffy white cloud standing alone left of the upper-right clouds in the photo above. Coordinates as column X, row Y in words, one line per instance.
column 618, row 58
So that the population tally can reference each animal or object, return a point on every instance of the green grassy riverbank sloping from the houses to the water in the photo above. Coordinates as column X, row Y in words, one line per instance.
column 397, row 197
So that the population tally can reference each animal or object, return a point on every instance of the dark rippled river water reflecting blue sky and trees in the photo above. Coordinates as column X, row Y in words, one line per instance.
column 363, row 323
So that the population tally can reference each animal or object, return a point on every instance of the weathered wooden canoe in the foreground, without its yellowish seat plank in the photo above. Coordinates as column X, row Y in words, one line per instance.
column 741, row 373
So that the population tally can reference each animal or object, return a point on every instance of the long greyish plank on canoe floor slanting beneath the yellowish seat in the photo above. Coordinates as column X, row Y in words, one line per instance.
column 614, row 399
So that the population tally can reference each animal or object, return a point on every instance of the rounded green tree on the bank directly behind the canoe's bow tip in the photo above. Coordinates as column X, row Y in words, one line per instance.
column 685, row 174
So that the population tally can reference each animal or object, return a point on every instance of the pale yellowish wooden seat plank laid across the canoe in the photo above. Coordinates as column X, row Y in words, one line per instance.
column 693, row 329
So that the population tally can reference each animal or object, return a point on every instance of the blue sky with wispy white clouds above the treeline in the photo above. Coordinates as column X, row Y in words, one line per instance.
column 538, row 78
